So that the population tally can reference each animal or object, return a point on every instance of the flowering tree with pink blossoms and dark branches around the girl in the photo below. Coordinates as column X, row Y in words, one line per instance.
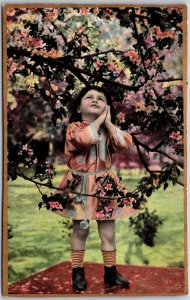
column 135, row 52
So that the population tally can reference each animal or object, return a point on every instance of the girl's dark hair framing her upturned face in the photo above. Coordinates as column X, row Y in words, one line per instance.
column 75, row 116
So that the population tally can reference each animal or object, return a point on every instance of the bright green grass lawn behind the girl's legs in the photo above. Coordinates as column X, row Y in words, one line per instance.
column 39, row 241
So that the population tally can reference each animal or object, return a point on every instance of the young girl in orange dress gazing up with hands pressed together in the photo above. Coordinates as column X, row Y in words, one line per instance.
column 91, row 139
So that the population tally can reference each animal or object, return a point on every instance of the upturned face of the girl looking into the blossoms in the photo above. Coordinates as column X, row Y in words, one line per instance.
column 92, row 105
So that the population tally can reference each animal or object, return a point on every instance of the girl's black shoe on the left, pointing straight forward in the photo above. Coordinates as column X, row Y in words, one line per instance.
column 79, row 280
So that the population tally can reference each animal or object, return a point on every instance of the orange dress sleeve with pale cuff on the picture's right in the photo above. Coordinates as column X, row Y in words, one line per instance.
column 122, row 141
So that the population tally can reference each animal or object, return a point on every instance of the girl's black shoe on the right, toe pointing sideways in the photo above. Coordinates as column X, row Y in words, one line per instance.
column 113, row 277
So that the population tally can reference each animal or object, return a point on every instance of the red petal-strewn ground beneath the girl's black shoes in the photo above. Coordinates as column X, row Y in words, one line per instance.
column 56, row 280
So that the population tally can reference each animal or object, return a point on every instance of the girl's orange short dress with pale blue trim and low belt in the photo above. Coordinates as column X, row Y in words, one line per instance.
column 89, row 160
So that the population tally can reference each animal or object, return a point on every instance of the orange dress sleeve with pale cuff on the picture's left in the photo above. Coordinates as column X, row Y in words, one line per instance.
column 79, row 136
